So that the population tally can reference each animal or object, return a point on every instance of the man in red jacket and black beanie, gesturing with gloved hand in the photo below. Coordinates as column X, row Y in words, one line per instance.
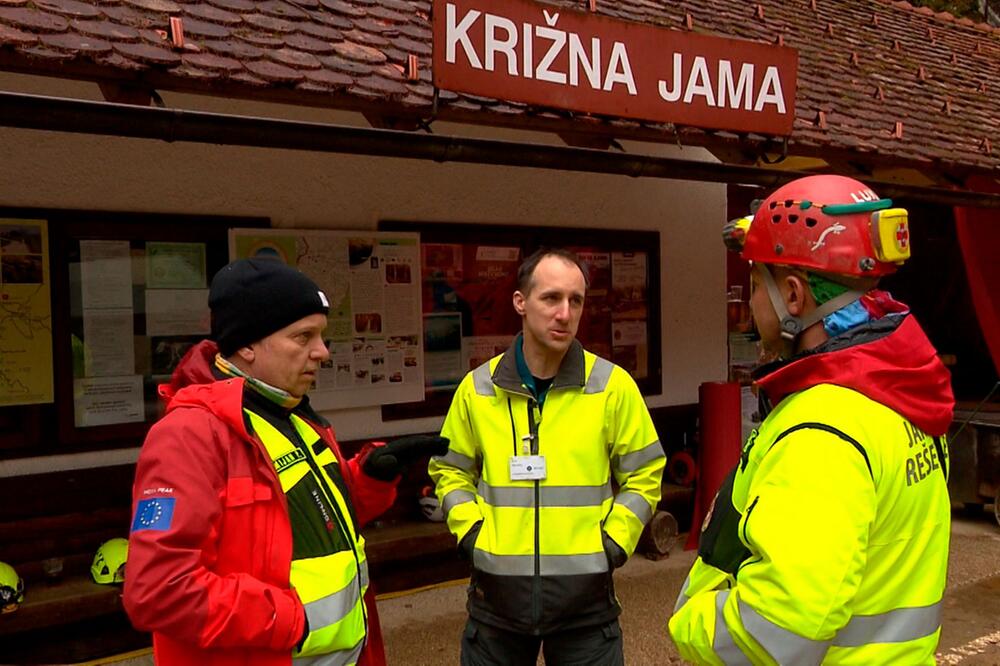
column 246, row 544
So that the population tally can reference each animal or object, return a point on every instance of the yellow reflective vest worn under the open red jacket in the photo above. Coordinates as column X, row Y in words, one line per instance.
column 331, row 586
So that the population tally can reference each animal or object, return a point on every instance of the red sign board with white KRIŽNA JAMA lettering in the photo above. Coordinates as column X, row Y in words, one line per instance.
column 552, row 56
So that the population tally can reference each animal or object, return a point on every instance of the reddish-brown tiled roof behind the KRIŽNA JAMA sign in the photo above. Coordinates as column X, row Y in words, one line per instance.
column 875, row 77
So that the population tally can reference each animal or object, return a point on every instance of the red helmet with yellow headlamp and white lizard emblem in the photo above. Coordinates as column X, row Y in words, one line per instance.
column 832, row 224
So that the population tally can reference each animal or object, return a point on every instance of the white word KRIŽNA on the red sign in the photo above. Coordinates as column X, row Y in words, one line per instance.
column 513, row 47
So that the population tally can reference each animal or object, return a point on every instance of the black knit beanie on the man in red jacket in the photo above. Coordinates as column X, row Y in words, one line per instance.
column 252, row 298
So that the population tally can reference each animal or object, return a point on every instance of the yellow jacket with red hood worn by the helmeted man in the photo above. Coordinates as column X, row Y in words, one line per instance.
column 829, row 541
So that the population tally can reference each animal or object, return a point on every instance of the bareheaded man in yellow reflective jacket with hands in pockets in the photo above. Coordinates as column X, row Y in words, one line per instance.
column 537, row 435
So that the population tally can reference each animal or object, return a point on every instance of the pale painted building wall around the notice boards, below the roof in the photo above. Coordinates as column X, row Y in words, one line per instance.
column 312, row 190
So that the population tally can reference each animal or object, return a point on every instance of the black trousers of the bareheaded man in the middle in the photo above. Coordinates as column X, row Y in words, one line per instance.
column 600, row 645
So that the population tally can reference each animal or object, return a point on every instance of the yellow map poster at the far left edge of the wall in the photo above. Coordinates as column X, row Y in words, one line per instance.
column 25, row 313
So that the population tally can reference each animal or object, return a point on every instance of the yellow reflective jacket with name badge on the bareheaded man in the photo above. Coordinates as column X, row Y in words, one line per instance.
column 539, row 561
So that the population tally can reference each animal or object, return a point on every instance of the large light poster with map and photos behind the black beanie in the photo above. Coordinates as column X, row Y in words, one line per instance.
column 375, row 326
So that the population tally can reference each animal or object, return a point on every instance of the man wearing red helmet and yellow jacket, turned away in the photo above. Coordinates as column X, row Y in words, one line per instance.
column 828, row 543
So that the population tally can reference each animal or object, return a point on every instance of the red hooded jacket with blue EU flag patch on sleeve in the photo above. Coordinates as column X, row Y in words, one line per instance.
column 209, row 578
